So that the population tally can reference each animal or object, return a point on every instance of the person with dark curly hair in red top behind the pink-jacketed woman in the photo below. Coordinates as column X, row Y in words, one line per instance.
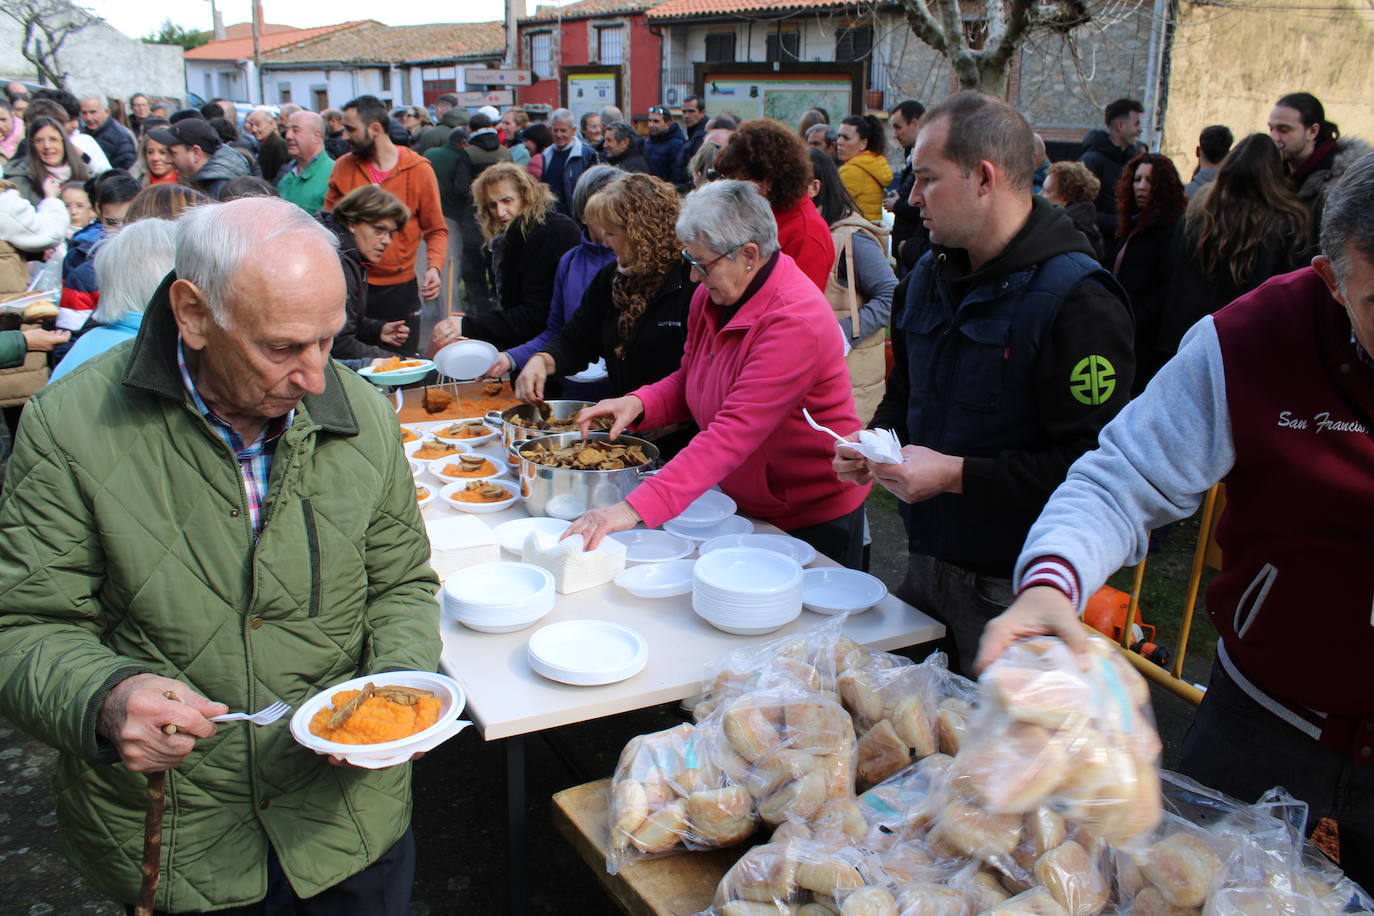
column 778, row 163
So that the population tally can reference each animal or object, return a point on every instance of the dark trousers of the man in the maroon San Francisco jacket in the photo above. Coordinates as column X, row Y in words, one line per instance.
column 1241, row 749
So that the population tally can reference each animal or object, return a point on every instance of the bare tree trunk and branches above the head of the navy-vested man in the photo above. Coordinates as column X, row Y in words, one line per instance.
column 980, row 47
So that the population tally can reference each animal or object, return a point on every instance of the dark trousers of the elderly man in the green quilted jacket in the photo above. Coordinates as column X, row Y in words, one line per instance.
column 383, row 889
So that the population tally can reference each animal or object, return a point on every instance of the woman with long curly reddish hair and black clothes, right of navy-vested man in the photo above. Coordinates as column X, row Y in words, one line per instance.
column 1151, row 204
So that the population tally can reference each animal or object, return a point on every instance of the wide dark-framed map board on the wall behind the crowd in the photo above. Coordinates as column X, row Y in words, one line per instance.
column 773, row 95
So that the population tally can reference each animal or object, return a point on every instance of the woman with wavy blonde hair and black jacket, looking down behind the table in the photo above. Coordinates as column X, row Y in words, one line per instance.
column 526, row 238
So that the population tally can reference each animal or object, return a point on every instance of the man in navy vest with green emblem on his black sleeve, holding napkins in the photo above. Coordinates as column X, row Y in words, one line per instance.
column 1012, row 350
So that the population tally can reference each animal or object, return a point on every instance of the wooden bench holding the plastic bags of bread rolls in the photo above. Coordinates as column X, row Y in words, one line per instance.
column 670, row 886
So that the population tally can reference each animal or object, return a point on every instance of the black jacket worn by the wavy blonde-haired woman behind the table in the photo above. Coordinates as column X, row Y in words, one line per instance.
column 524, row 263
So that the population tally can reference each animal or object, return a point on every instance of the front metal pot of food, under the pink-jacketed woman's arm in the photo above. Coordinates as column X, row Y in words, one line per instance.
column 565, row 492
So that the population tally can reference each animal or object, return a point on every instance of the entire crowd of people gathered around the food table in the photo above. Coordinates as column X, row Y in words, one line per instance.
column 1055, row 345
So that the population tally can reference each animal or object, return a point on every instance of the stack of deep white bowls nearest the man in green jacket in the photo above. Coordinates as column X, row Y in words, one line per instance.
column 499, row 598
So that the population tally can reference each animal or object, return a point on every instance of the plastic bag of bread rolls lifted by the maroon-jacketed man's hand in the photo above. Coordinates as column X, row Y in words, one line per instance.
column 1052, row 733
